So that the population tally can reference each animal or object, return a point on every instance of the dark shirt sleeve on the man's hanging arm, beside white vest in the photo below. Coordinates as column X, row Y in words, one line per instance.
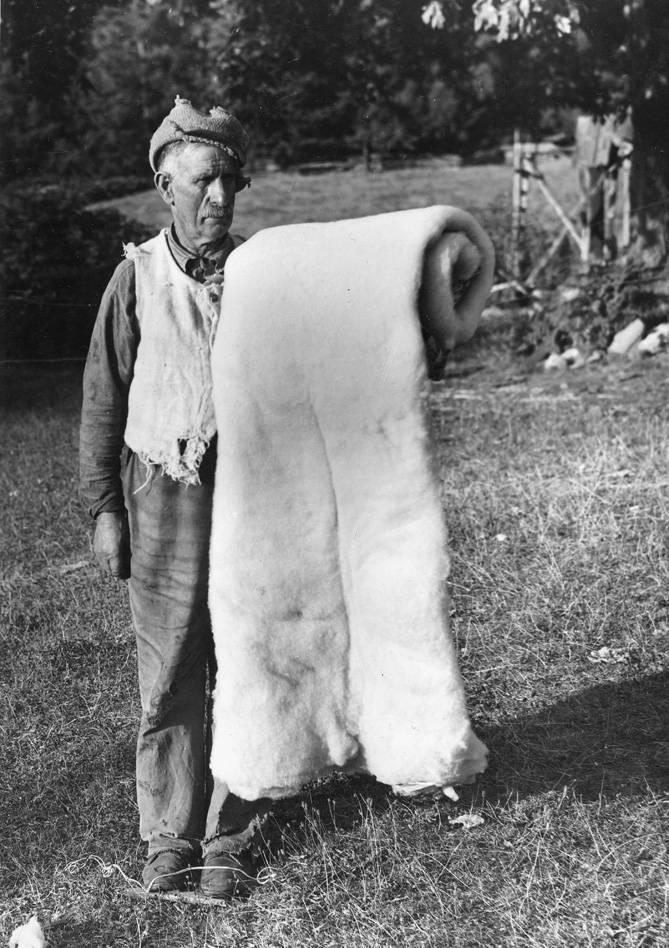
column 107, row 377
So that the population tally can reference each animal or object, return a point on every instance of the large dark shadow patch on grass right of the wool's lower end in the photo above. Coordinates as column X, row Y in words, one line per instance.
column 607, row 740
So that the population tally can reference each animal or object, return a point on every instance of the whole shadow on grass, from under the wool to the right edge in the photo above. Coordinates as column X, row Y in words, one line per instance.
column 605, row 741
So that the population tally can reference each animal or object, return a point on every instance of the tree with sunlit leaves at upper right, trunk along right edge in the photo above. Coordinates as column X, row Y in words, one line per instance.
column 611, row 55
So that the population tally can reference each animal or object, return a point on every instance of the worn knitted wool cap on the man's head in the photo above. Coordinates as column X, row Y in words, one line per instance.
column 185, row 123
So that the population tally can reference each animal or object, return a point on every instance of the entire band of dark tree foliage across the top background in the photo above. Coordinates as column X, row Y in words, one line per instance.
column 85, row 83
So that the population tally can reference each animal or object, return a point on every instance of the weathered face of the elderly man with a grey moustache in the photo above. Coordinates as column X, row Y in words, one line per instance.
column 199, row 185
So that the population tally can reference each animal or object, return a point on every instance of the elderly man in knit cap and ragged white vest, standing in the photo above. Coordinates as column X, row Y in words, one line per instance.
column 148, row 445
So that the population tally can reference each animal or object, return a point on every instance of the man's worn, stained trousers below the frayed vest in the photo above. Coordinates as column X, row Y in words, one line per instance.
column 180, row 804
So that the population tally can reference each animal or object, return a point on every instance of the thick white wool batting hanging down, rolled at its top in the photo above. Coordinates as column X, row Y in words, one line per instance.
column 329, row 552
